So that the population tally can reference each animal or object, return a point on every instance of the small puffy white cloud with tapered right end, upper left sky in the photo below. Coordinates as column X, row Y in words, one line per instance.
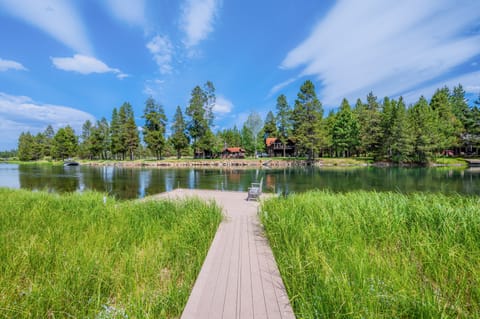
column 85, row 65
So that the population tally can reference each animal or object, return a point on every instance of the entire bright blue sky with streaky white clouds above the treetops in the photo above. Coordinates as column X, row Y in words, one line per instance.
column 63, row 62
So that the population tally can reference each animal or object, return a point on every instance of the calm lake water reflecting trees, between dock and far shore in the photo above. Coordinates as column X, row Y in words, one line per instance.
column 127, row 183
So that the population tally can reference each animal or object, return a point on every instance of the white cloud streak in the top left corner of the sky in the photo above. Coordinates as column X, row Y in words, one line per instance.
column 58, row 18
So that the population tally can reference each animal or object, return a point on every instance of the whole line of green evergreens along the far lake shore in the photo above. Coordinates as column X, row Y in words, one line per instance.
column 386, row 130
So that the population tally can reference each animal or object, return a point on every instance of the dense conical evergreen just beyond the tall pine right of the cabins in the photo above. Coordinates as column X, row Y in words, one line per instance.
column 344, row 130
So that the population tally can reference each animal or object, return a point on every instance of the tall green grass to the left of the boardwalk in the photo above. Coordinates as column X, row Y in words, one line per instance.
column 76, row 256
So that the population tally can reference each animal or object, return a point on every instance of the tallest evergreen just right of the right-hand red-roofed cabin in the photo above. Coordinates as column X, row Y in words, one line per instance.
column 307, row 120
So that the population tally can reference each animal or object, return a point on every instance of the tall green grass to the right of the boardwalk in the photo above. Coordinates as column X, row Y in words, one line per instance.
column 377, row 255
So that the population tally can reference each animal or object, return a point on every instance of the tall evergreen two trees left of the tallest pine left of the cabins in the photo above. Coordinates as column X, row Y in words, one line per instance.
column 154, row 128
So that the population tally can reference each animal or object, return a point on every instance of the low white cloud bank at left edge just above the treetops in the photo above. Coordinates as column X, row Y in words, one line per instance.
column 20, row 113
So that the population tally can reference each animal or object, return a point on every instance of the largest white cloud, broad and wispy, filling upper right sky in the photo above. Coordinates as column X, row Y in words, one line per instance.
column 385, row 46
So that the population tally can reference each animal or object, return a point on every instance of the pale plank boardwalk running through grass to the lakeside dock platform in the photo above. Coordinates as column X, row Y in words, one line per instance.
column 239, row 278
